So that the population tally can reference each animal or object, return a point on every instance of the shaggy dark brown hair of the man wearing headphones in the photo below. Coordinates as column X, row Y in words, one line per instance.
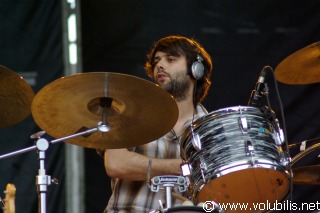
column 190, row 48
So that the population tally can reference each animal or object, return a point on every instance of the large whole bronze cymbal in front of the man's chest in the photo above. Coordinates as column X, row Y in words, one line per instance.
column 137, row 111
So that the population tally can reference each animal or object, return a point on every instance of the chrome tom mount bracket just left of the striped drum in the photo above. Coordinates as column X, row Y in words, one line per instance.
column 168, row 182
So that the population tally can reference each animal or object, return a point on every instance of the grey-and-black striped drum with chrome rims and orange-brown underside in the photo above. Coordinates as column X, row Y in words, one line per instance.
column 235, row 157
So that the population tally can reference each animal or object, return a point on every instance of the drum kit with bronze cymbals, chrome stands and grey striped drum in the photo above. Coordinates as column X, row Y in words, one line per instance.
column 231, row 153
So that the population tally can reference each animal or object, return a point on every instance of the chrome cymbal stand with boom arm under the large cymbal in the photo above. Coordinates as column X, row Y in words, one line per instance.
column 42, row 144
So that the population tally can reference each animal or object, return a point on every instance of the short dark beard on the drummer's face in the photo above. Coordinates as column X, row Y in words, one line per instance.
column 178, row 86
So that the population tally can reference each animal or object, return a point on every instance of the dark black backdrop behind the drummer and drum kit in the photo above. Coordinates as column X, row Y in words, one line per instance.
column 241, row 36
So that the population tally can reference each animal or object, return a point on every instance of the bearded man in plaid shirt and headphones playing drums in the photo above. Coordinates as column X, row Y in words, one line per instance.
column 182, row 67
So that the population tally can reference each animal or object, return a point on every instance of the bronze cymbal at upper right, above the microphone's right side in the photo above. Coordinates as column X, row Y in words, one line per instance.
column 301, row 67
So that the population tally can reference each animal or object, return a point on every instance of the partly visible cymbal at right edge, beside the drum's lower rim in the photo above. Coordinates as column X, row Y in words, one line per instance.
column 309, row 175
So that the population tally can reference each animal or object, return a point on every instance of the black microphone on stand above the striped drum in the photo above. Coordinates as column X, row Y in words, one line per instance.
column 256, row 94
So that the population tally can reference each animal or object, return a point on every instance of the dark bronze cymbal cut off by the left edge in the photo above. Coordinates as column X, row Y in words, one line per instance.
column 15, row 97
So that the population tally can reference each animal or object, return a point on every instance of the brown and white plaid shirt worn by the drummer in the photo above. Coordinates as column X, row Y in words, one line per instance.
column 136, row 196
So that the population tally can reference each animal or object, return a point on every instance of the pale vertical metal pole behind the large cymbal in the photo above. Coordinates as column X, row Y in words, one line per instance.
column 74, row 163
